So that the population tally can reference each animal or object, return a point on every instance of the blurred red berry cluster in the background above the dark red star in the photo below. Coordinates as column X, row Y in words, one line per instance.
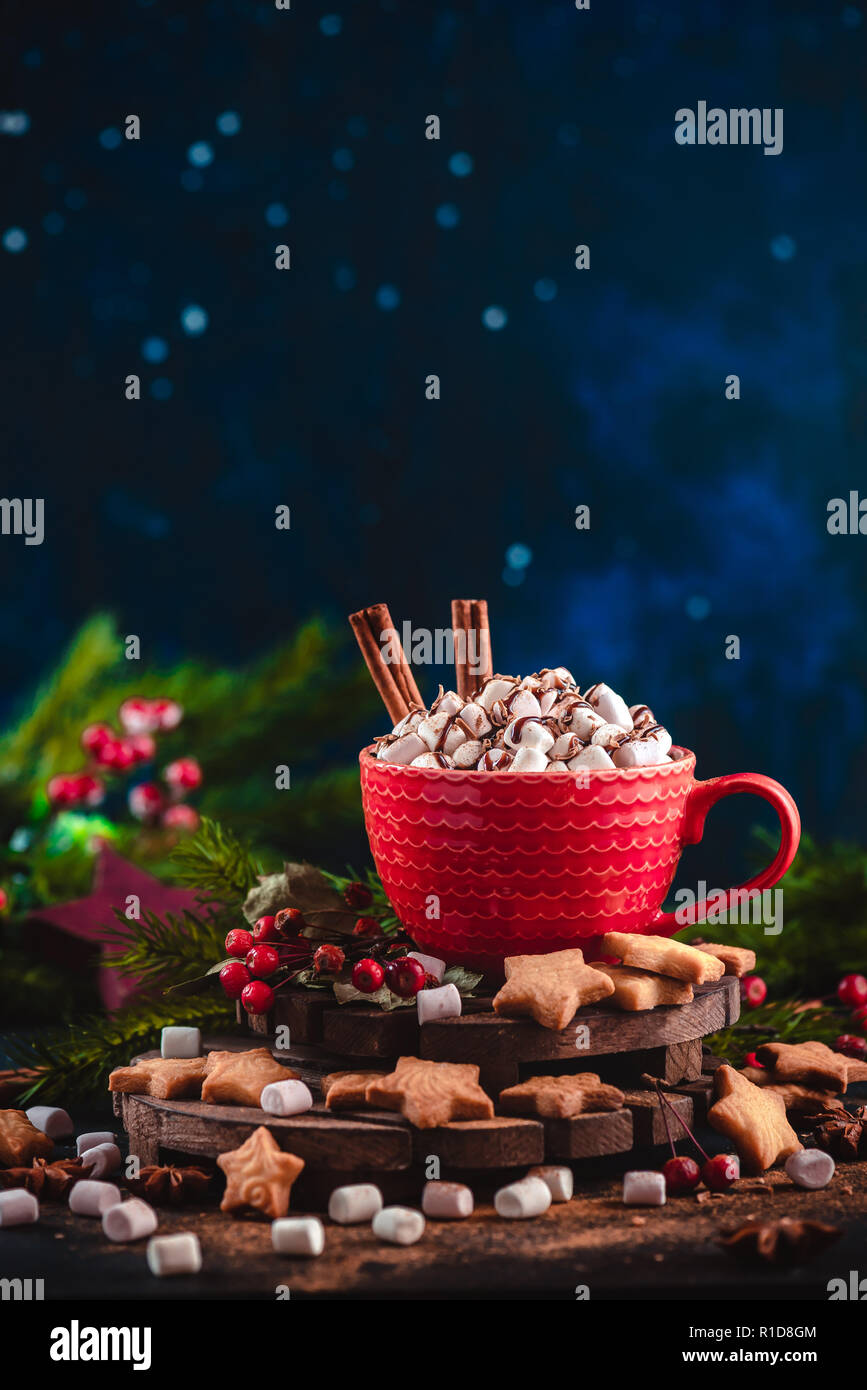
column 115, row 754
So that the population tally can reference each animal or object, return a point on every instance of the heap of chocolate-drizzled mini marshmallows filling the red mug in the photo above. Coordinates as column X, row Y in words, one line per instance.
column 541, row 723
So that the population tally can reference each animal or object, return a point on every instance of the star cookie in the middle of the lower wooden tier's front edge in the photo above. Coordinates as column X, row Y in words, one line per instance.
column 431, row 1093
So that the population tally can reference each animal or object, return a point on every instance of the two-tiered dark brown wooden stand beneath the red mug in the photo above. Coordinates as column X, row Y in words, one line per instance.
column 313, row 1035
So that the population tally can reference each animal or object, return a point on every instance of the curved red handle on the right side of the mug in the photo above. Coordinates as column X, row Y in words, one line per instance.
column 702, row 797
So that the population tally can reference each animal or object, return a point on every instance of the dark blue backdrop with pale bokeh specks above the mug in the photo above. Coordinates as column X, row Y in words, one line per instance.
column 708, row 516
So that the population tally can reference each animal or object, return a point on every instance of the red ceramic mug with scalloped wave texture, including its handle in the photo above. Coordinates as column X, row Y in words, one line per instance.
column 486, row 865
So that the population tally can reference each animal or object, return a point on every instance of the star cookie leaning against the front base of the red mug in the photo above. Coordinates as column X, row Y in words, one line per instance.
column 551, row 989
